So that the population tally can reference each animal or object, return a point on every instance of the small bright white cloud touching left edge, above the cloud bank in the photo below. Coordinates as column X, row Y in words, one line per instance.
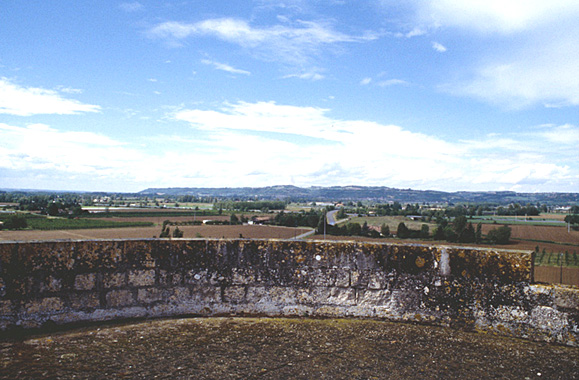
column 21, row 101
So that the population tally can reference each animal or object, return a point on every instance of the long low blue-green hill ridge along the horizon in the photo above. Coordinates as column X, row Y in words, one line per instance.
column 376, row 193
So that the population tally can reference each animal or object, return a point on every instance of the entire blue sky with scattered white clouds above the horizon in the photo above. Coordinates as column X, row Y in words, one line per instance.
column 451, row 95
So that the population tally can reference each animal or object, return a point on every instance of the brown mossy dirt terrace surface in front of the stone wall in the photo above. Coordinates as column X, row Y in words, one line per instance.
column 265, row 348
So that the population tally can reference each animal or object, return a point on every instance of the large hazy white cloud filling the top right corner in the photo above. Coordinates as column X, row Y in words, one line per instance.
column 531, row 48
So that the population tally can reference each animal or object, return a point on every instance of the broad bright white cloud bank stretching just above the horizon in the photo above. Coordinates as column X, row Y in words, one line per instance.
column 264, row 143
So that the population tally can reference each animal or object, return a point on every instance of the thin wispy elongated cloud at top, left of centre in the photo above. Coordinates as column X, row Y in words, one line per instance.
column 289, row 44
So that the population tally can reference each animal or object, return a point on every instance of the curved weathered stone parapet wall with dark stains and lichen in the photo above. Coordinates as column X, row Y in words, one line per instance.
column 475, row 289
